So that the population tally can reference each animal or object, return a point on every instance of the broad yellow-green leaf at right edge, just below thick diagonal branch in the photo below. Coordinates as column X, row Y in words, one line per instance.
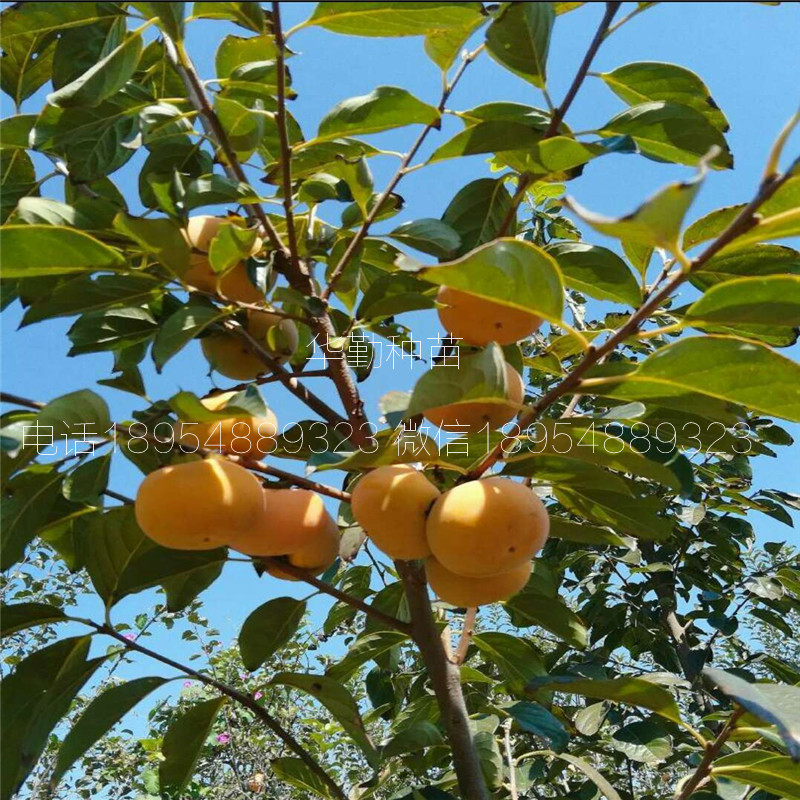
column 729, row 369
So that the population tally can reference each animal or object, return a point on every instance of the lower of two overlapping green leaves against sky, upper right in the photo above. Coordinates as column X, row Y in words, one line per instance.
column 673, row 133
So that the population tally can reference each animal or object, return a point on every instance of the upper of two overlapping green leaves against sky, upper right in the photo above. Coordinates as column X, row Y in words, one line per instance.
column 642, row 81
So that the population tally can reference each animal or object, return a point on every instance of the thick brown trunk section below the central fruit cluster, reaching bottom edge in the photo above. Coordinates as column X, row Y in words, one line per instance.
column 446, row 681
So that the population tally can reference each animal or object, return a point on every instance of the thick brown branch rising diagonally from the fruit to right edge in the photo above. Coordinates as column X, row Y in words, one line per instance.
column 742, row 223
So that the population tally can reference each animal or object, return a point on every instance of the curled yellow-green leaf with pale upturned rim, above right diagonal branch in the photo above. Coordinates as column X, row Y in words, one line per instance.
column 656, row 223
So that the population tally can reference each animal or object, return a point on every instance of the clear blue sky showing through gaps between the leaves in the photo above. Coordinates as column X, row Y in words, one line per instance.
column 746, row 52
